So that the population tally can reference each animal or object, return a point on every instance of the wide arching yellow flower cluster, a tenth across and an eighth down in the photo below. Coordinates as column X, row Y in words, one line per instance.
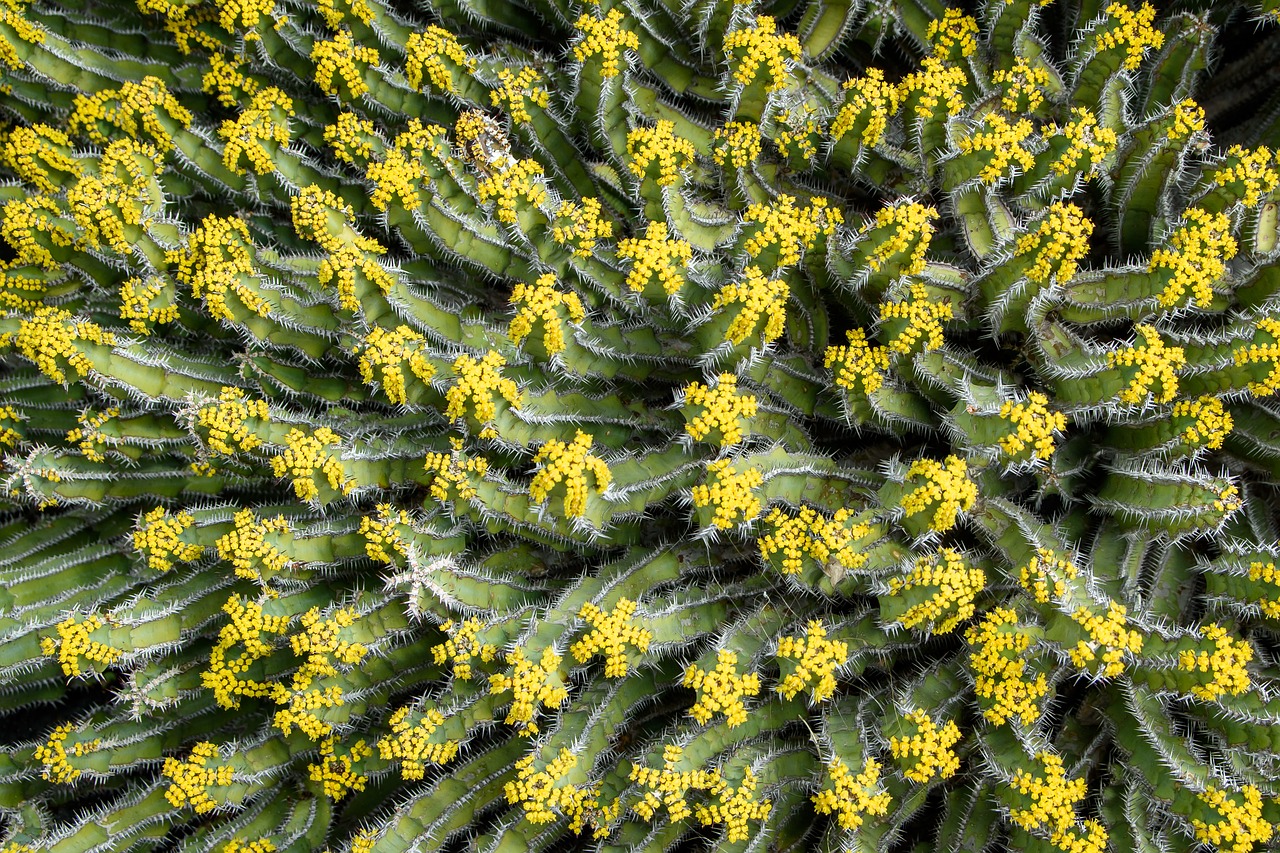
column 136, row 110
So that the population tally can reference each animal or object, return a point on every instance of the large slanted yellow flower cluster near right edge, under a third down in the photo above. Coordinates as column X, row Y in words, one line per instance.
column 1197, row 259
